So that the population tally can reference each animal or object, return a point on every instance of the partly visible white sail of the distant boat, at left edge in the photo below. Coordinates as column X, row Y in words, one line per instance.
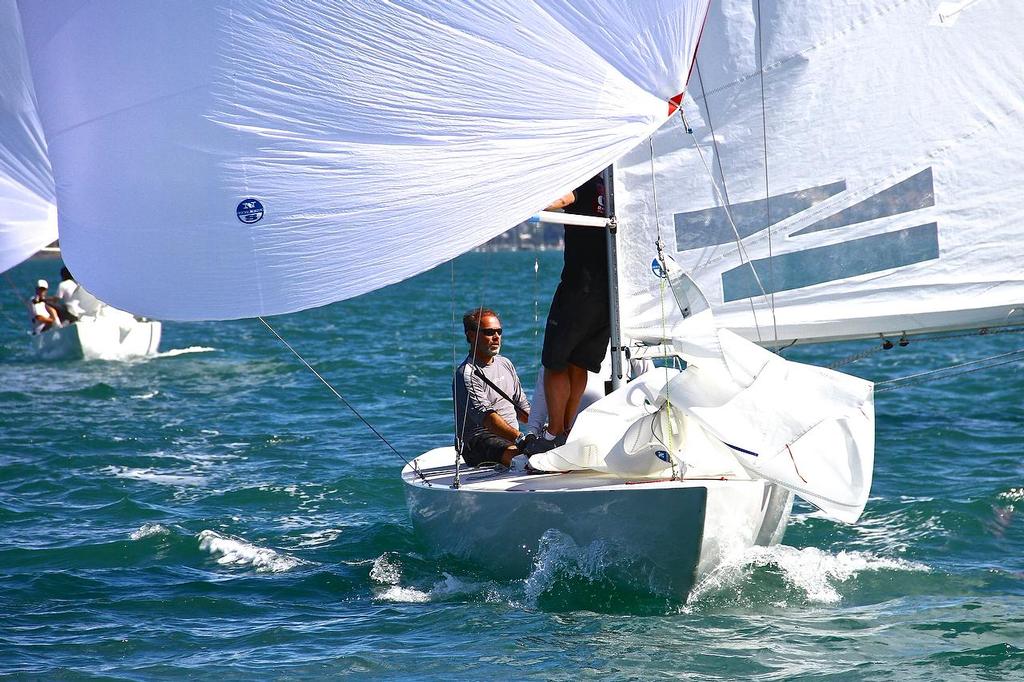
column 28, row 219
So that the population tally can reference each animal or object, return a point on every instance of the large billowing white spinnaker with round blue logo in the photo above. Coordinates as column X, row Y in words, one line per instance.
column 220, row 160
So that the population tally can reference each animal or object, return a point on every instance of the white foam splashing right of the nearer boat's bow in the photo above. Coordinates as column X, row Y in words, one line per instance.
column 816, row 573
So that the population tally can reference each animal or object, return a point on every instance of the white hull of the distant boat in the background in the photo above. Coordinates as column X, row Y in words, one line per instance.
column 102, row 337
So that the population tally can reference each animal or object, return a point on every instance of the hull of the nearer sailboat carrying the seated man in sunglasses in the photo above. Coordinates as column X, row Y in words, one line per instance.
column 670, row 533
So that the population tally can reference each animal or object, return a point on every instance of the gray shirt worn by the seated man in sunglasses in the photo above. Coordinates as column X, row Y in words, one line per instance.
column 475, row 399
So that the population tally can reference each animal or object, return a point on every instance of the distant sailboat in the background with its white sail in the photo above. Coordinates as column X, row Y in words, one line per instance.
column 29, row 217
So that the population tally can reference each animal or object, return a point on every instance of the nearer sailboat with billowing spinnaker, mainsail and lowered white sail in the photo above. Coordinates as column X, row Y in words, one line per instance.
column 803, row 178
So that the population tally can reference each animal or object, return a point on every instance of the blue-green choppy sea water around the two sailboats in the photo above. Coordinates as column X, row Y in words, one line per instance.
column 217, row 513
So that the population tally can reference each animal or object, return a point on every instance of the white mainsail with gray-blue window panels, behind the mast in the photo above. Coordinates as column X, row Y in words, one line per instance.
column 884, row 141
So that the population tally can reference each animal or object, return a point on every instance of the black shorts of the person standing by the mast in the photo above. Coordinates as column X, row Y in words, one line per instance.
column 579, row 329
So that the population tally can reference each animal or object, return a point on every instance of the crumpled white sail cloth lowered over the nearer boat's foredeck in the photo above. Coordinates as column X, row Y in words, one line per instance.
column 806, row 429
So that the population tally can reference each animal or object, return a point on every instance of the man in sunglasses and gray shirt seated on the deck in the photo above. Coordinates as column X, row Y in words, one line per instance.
column 489, row 398
